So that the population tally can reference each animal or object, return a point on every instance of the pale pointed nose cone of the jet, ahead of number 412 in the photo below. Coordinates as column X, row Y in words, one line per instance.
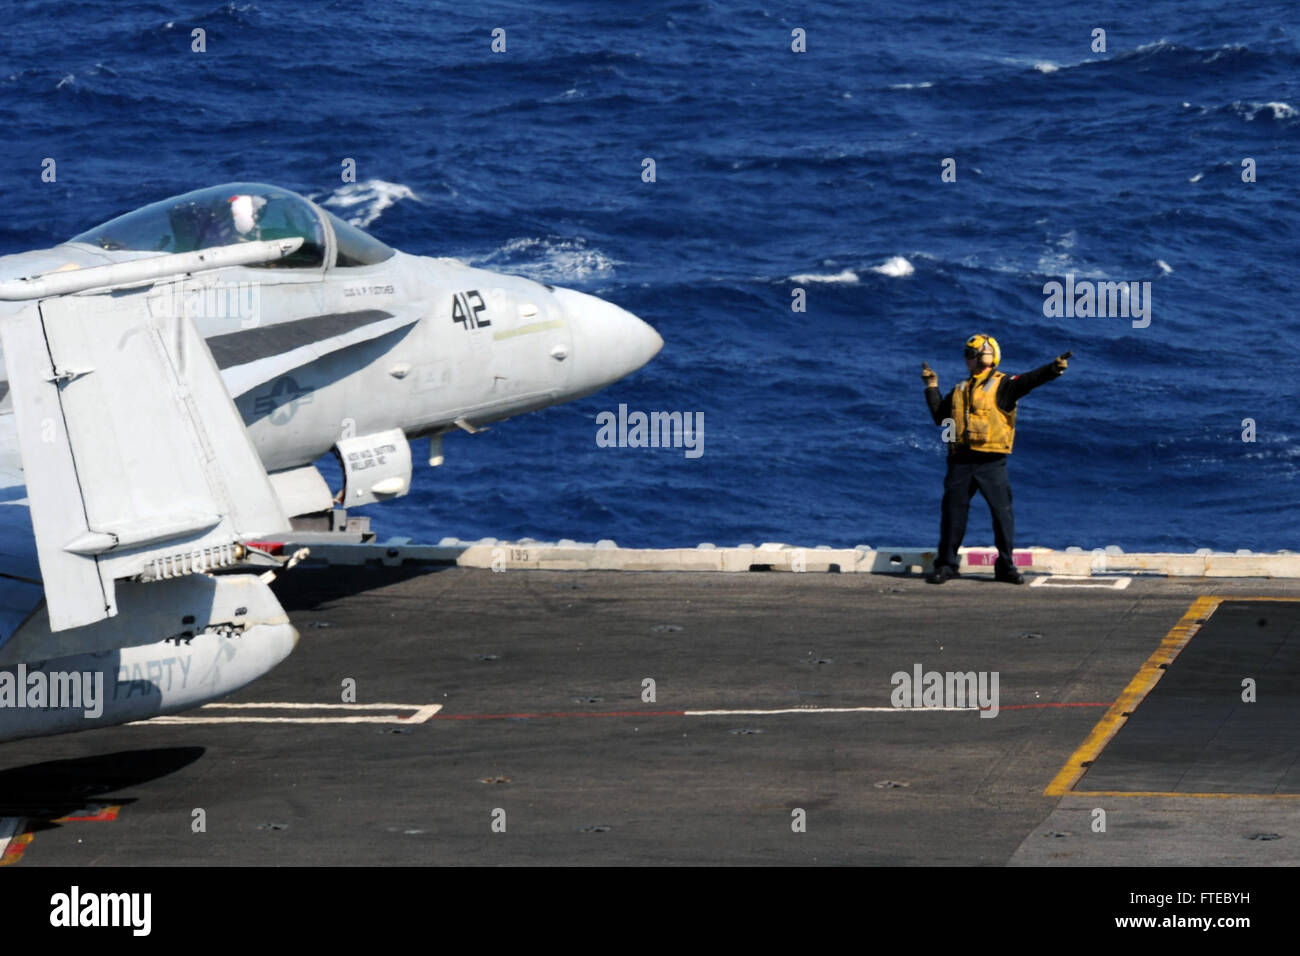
column 609, row 343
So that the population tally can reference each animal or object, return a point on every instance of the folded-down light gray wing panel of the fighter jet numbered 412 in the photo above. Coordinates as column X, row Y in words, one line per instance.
column 136, row 462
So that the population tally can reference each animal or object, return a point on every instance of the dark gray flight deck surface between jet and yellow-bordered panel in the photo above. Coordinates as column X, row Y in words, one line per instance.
column 557, row 651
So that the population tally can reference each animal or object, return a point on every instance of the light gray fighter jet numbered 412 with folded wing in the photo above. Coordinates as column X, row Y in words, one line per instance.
column 174, row 375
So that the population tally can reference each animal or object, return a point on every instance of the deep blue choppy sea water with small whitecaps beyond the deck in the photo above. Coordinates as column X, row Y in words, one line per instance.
column 775, row 171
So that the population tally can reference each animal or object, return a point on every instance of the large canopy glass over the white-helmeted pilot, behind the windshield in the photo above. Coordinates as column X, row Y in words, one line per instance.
column 219, row 217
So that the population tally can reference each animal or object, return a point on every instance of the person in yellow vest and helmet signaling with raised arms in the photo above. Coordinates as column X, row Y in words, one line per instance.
column 980, row 427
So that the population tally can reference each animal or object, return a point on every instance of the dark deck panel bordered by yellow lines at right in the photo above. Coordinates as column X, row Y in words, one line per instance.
column 1195, row 734
